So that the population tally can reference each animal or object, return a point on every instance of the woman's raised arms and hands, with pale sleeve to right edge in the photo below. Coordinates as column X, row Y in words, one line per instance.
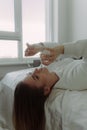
column 74, row 49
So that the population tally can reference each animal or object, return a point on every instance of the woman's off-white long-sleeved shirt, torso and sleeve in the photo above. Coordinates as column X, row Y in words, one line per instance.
column 72, row 73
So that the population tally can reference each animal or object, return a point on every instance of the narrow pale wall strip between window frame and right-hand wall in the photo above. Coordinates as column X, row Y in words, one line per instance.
column 62, row 21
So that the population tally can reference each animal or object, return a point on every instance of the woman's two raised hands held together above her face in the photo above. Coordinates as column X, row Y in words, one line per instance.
column 49, row 51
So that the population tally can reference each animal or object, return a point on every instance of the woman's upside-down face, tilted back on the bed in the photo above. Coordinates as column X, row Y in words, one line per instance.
column 38, row 78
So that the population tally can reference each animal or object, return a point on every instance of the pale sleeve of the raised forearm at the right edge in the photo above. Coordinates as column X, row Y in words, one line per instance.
column 76, row 49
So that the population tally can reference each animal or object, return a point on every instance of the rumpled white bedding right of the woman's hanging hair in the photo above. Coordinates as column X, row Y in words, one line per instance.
column 66, row 110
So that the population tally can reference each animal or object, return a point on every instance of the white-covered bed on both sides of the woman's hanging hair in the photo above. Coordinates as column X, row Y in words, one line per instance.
column 64, row 109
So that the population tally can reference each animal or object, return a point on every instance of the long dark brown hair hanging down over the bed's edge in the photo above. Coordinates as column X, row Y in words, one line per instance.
column 28, row 108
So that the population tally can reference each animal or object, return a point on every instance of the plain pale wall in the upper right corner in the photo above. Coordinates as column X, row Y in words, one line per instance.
column 77, row 16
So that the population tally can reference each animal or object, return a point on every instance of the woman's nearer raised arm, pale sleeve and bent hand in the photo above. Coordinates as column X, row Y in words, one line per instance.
column 75, row 49
